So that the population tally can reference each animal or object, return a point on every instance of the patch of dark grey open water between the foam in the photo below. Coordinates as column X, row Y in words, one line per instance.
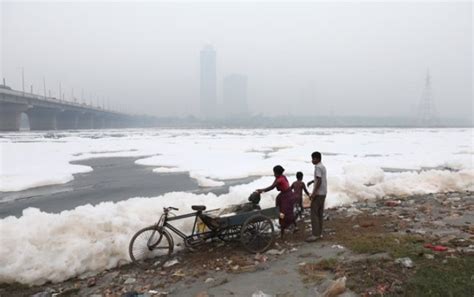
column 112, row 179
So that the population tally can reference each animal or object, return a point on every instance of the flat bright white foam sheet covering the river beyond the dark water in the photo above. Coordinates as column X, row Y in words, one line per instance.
column 227, row 154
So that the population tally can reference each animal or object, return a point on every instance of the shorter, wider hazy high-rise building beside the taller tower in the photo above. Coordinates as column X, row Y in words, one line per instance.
column 235, row 95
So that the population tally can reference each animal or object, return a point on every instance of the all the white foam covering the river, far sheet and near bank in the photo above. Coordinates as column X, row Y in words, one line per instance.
column 40, row 247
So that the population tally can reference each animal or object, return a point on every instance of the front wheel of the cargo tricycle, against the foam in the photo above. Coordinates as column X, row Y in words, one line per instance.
column 149, row 243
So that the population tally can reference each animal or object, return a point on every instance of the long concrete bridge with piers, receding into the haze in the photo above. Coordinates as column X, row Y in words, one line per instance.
column 47, row 113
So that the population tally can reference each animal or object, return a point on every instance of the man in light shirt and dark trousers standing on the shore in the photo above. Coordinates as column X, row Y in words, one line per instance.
column 317, row 197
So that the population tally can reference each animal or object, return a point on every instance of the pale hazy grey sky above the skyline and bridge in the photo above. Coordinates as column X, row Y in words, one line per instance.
column 300, row 58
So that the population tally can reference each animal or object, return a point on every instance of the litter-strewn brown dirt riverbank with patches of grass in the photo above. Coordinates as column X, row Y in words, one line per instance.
column 397, row 246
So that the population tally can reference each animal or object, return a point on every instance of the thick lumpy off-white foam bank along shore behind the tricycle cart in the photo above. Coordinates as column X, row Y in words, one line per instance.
column 40, row 247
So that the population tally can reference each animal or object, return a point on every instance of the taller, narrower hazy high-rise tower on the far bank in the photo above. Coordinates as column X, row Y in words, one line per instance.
column 208, row 82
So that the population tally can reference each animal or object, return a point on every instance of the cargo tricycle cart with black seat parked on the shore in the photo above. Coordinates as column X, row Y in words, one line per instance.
column 246, row 223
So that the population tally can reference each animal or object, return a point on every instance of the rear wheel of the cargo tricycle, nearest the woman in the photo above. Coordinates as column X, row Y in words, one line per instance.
column 257, row 234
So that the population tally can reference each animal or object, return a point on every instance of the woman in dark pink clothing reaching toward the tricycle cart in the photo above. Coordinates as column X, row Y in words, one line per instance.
column 285, row 200
